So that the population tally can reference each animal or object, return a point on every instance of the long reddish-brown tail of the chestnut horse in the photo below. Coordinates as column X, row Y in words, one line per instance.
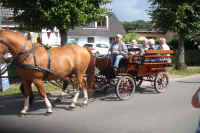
column 91, row 75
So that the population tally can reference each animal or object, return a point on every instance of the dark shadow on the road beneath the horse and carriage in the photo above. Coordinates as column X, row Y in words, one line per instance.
column 12, row 105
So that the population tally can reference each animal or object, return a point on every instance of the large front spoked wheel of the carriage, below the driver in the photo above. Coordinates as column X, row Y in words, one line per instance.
column 125, row 87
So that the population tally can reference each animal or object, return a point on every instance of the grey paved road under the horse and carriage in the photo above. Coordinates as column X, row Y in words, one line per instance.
column 146, row 112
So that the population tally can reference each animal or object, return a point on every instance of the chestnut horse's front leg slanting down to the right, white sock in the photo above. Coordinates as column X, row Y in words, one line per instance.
column 40, row 87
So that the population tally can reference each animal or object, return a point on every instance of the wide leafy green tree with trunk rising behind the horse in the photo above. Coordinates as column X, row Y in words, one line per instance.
column 63, row 14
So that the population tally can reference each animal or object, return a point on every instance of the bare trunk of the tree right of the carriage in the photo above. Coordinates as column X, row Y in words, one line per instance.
column 181, row 54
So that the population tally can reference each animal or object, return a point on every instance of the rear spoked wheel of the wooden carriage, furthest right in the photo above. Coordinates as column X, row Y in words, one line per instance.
column 161, row 82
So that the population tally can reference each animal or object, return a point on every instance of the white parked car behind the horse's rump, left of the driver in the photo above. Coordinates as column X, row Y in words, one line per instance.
column 98, row 49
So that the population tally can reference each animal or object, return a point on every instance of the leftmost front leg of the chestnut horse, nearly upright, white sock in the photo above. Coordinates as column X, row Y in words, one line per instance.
column 27, row 87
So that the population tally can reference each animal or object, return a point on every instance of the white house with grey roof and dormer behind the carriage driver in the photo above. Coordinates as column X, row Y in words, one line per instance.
column 102, row 31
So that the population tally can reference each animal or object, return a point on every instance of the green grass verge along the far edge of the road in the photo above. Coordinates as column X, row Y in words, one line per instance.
column 51, row 87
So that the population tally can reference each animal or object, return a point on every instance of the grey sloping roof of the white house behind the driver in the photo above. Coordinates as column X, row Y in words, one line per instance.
column 115, row 27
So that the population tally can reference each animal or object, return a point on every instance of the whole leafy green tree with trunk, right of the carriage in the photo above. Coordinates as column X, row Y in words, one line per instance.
column 182, row 17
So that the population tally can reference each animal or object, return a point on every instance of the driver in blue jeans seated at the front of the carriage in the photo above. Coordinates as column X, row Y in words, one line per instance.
column 118, row 50
